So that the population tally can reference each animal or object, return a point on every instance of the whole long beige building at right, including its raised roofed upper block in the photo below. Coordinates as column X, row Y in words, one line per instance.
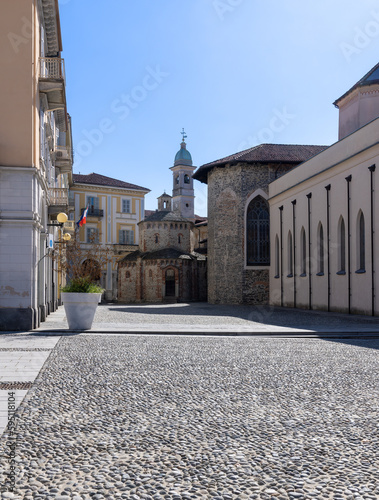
column 324, row 224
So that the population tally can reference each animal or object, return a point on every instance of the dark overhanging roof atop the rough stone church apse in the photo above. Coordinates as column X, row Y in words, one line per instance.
column 264, row 153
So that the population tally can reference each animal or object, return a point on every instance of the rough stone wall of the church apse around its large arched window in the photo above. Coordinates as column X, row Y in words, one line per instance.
column 229, row 281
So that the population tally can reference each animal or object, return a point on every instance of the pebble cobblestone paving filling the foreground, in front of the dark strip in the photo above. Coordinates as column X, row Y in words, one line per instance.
column 153, row 417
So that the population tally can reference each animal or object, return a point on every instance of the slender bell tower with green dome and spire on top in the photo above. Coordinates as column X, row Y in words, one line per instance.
column 183, row 197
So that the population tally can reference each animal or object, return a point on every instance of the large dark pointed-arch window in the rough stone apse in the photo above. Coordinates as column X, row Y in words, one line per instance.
column 258, row 232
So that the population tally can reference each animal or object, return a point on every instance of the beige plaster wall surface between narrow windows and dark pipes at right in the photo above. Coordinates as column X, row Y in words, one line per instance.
column 342, row 163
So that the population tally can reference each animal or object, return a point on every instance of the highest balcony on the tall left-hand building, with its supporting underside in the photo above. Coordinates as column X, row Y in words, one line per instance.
column 52, row 82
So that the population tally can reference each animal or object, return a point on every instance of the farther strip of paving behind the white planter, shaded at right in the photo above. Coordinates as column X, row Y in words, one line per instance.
column 203, row 317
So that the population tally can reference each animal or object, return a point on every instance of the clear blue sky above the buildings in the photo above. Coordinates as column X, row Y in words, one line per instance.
column 233, row 73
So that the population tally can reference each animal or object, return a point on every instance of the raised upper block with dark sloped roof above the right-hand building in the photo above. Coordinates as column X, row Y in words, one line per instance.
column 359, row 105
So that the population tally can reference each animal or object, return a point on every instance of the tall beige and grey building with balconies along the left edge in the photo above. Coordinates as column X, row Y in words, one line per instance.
column 35, row 160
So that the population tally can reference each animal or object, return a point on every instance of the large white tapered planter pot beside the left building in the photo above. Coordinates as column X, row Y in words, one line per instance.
column 80, row 309
